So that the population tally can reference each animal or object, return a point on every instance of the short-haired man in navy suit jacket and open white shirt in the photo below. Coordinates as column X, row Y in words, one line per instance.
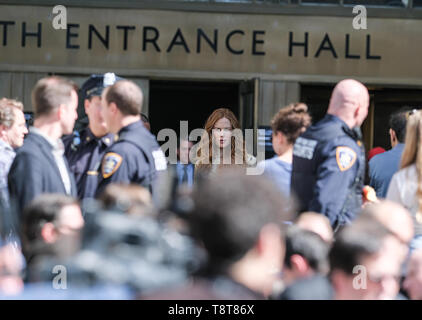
column 40, row 166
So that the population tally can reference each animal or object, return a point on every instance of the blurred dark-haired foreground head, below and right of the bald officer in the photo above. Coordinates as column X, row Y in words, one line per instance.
column 365, row 262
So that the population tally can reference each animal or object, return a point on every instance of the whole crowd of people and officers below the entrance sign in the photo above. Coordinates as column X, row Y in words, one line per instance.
column 100, row 212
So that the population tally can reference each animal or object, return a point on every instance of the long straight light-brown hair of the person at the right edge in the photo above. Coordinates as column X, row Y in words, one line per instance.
column 412, row 152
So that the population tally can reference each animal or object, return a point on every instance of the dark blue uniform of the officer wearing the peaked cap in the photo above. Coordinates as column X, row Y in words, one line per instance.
column 84, row 153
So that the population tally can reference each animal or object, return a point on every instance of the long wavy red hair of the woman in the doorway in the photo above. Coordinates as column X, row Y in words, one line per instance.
column 208, row 142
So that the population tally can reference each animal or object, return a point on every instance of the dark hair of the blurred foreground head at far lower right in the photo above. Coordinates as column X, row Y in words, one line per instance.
column 363, row 238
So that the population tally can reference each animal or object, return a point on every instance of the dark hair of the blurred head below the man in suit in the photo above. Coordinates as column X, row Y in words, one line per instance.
column 43, row 209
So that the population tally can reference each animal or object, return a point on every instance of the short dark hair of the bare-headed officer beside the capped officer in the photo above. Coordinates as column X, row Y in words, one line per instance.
column 127, row 96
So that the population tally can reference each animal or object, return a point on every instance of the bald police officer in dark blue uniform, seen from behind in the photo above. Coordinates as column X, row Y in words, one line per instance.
column 329, row 158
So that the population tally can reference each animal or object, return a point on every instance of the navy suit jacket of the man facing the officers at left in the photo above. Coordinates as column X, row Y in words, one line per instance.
column 34, row 171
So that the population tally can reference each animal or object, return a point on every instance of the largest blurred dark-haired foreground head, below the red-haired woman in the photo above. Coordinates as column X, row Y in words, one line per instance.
column 237, row 218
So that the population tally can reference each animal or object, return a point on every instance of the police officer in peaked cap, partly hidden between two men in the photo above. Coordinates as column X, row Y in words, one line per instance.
column 85, row 148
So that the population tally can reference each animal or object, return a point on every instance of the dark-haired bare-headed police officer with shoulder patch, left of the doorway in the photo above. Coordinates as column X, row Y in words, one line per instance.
column 136, row 156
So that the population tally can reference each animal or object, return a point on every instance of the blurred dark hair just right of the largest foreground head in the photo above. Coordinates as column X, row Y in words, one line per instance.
column 310, row 246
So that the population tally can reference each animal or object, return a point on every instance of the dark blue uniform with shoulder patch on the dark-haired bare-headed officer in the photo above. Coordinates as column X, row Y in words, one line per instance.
column 135, row 158
